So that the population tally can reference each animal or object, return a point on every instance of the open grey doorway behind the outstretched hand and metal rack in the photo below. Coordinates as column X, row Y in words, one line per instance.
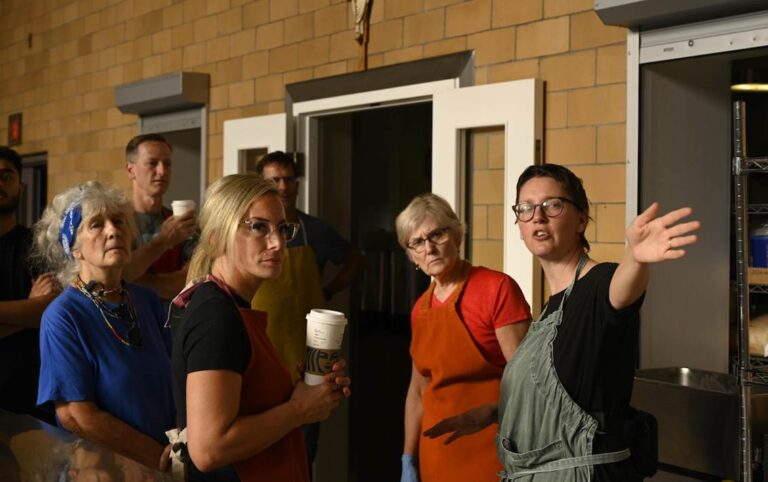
column 685, row 112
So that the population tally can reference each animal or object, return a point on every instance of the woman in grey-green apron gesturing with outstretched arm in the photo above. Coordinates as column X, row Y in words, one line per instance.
column 564, row 410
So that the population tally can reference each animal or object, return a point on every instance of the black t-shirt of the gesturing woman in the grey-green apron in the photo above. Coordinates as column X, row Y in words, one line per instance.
column 595, row 354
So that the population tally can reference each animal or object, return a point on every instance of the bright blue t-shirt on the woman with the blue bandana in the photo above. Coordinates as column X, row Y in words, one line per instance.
column 81, row 360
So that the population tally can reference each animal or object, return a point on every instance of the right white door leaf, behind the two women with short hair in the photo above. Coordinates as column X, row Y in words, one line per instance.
column 517, row 107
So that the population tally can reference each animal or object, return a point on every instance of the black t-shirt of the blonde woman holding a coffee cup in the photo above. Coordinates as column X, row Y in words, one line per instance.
column 211, row 336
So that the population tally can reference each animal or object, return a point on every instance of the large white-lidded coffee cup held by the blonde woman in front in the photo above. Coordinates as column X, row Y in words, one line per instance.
column 325, row 332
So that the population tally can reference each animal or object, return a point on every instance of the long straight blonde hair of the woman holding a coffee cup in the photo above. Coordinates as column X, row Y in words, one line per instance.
column 226, row 202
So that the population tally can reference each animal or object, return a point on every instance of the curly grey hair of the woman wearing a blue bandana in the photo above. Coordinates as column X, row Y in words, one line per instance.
column 94, row 198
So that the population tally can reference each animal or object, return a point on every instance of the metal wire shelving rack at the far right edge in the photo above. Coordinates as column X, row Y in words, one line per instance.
column 751, row 370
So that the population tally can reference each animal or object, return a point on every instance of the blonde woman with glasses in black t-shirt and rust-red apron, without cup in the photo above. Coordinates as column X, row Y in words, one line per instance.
column 236, row 400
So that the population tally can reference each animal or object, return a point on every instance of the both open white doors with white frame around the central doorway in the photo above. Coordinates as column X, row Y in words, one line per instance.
column 516, row 106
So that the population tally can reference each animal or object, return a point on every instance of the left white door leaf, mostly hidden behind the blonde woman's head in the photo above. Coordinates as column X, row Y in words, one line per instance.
column 252, row 135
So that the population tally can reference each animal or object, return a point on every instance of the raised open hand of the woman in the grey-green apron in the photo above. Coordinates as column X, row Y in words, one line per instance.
column 652, row 239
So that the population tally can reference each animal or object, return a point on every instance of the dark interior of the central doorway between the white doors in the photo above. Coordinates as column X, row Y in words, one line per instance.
column 372, row 163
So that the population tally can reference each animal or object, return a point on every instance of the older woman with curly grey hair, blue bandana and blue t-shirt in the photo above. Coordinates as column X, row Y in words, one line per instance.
column 105, row 356
